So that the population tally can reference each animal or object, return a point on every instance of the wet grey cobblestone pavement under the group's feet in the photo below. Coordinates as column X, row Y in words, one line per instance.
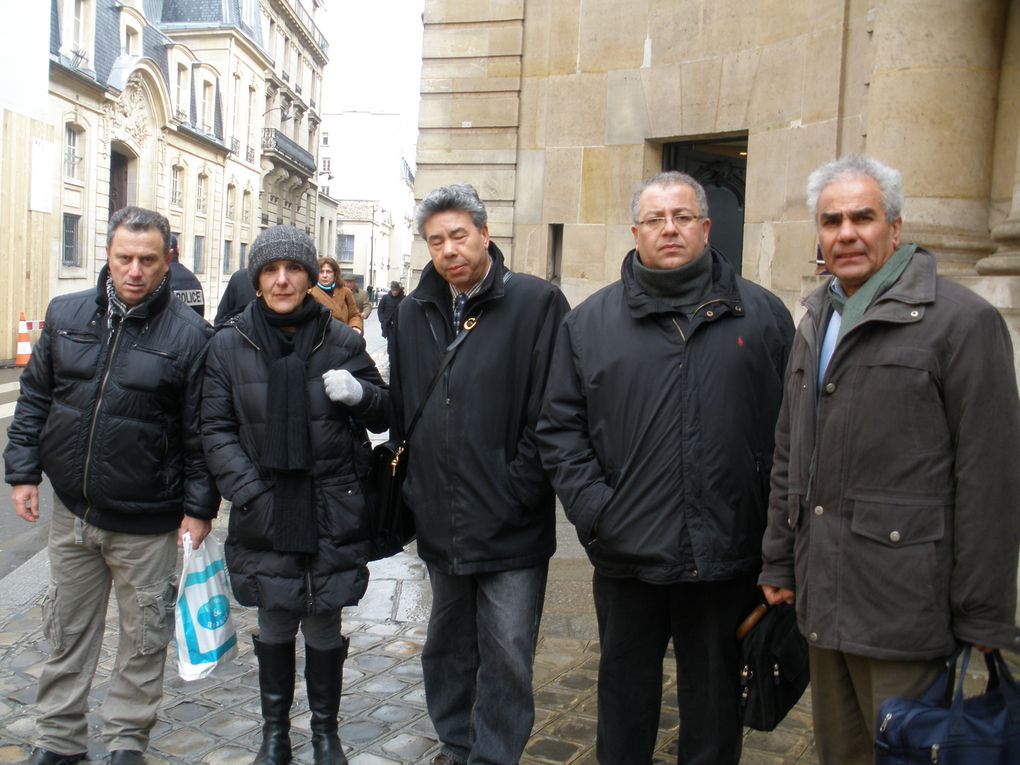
column 217, row 722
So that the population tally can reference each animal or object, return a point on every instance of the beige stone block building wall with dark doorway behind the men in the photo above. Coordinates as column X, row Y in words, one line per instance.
column 556, row 110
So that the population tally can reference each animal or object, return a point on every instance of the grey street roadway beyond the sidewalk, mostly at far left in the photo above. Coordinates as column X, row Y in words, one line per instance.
column 21, row 540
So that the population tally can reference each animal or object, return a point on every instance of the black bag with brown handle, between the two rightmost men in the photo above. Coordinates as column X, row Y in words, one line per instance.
column 775, row 669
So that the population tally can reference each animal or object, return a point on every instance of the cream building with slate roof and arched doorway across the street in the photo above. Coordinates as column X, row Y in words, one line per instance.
column 205, row 112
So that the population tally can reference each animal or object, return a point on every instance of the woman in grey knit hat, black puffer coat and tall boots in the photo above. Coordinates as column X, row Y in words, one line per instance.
column 287, row 390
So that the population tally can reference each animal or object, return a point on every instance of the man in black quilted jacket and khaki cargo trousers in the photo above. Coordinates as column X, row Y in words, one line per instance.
column 109, row 411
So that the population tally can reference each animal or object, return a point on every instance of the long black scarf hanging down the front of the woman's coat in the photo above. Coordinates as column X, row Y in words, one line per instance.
column 287, row 450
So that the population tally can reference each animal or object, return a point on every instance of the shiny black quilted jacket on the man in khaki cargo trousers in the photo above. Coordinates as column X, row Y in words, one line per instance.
column 113, row 418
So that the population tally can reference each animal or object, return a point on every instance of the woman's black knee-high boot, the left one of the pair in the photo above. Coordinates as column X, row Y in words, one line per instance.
column 276, row 684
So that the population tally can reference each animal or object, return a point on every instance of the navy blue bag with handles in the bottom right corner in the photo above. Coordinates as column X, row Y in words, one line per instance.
column 937, row 729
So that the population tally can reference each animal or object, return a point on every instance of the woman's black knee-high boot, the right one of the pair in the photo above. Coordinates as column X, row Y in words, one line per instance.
column 325, row 679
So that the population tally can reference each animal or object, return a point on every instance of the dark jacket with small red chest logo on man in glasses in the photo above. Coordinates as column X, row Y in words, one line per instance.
column 659, row 440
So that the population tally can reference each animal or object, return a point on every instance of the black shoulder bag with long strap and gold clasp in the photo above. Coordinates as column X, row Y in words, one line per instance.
column 392, row 521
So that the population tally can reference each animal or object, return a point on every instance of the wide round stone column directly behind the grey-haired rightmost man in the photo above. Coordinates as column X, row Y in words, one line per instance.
column 932, row 114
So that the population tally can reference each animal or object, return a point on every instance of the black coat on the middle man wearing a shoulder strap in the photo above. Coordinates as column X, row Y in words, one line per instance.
column 481, row 499
